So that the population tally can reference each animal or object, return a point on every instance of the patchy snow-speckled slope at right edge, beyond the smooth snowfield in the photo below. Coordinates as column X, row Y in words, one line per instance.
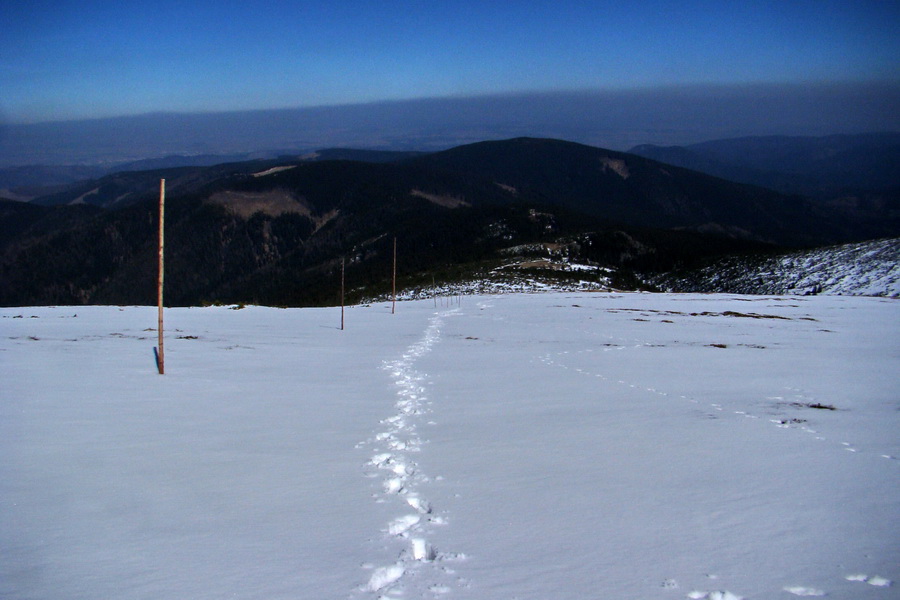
column 862, row 269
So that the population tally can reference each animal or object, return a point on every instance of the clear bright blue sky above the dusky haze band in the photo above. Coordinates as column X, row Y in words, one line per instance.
column 64, row 60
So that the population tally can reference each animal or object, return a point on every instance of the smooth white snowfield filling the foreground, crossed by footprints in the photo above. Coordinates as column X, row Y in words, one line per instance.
column 561, row 445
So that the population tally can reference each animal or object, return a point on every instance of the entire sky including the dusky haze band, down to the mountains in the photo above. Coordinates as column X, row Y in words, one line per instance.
column 105, row 81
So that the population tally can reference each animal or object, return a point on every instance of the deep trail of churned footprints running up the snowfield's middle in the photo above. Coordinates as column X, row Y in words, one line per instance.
column 418, row 563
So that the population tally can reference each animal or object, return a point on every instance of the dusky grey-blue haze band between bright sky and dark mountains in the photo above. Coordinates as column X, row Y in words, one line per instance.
column 611, row 119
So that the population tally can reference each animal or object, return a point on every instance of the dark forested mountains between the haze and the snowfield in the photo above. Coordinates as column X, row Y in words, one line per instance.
column 274, row 231
